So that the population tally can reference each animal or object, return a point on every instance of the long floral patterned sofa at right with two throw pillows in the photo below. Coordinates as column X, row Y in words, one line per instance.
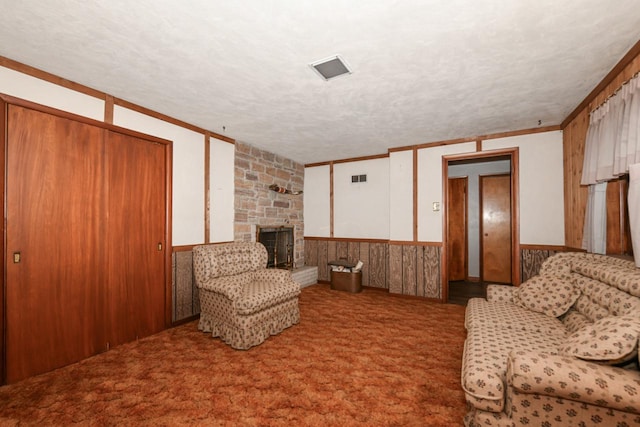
column 560, row 350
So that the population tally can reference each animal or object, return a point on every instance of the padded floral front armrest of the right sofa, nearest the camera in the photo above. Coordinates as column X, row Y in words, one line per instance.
column 574, row 379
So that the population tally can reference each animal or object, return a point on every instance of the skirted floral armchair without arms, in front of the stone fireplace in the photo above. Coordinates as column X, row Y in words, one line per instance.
column 241, row 301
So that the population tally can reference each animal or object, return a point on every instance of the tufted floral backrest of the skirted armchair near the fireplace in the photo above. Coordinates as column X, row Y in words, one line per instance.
column 228, row 259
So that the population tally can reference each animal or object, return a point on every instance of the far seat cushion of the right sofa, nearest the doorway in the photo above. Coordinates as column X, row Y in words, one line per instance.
column 505, row 315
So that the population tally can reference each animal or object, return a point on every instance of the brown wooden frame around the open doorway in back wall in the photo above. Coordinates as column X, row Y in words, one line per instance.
column 511, row 154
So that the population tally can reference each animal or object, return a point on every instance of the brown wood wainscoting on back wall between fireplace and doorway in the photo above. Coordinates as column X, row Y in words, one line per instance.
column 407, row 268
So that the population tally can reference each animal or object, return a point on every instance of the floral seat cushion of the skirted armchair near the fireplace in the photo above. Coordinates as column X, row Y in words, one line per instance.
column 261, row 294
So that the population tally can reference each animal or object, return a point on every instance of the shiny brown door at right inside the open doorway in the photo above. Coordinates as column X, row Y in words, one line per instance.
column 495, row 231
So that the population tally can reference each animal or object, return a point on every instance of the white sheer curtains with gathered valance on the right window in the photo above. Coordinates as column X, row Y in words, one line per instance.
column 612, row 145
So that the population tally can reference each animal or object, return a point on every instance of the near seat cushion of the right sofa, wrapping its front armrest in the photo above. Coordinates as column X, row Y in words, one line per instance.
column 484, row 362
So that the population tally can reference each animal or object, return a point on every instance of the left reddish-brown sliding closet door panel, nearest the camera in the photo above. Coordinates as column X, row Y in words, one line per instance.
column 55, row 220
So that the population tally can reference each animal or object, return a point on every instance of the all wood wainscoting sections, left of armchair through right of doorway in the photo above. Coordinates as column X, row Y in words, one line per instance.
column 405, row 268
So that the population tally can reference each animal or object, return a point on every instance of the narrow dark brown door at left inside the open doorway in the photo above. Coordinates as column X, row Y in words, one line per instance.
column 457, row 255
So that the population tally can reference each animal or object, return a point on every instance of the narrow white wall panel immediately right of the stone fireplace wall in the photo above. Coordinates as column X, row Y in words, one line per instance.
column 317, row 208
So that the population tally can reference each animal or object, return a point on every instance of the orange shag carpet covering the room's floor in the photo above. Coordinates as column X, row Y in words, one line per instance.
column 368, row 359
